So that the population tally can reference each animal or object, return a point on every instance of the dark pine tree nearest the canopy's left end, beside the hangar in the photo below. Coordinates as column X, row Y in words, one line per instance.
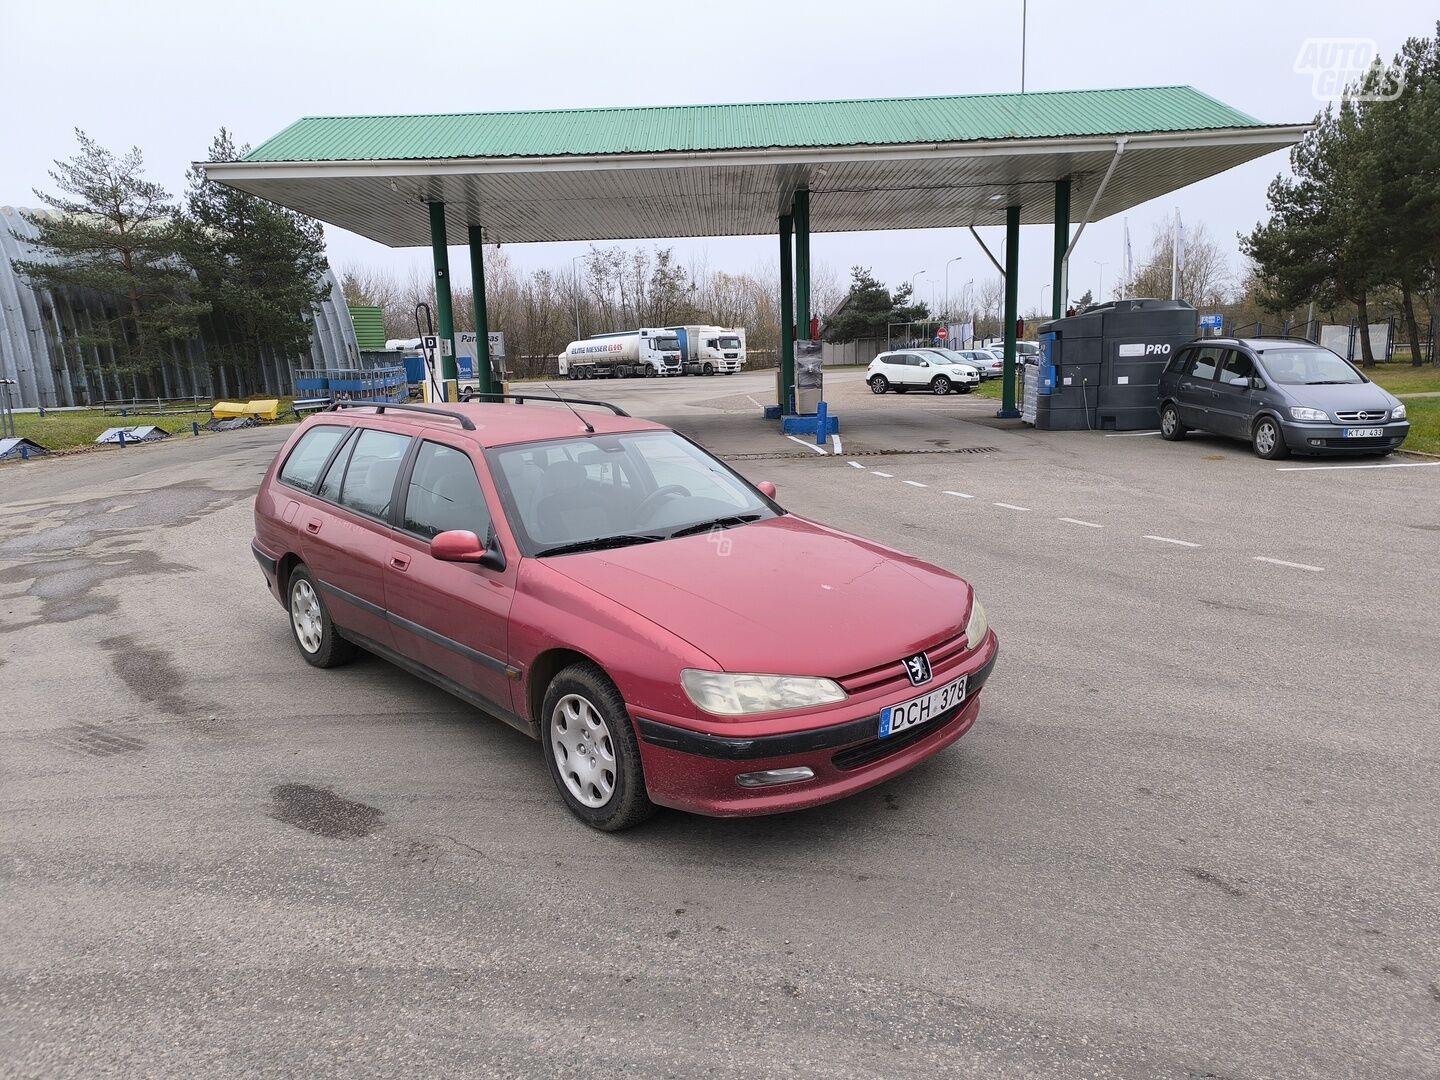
column 258, row 266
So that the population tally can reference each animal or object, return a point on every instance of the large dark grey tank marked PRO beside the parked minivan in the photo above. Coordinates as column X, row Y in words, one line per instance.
column 1101, row 369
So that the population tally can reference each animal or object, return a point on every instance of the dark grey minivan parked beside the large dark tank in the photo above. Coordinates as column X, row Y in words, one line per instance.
column 1282, row 395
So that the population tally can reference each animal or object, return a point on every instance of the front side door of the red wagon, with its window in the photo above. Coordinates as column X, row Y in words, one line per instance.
column 454, row 618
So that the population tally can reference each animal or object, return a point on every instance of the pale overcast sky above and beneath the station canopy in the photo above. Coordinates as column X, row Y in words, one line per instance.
column 165, row 77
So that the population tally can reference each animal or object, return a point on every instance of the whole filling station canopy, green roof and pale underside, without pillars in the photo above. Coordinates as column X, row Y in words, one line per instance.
column 734, row 171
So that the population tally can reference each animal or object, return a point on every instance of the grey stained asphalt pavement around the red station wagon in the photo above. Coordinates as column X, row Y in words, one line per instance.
column 1193, row 833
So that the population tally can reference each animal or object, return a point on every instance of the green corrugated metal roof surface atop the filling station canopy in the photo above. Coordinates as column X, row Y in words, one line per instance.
column 751, row 127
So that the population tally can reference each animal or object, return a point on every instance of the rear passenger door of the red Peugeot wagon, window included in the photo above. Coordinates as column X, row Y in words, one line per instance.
column 346, row 535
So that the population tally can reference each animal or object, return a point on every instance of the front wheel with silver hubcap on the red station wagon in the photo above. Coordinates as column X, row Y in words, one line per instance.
column 591, row 750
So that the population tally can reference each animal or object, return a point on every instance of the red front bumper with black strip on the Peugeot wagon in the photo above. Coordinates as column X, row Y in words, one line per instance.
column 696, row 771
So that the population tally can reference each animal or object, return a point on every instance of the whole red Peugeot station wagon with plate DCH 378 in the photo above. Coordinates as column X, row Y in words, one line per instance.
column 665, row 629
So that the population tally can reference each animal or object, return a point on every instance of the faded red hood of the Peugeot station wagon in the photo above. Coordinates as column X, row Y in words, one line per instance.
column 783, row 597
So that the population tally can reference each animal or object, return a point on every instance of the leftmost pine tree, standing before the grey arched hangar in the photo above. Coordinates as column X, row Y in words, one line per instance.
column 117, row 234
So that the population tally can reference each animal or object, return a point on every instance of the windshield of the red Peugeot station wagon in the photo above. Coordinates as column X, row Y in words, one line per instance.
column 614, row 490
